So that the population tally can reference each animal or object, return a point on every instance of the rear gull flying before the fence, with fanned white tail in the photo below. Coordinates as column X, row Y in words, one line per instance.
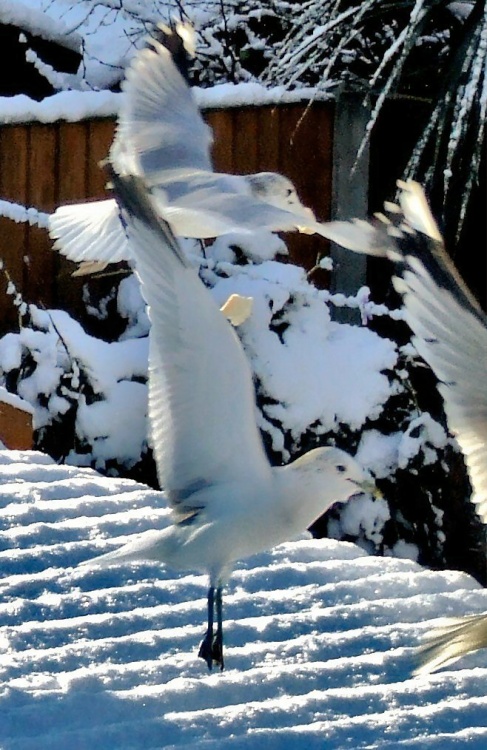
column 162, row 137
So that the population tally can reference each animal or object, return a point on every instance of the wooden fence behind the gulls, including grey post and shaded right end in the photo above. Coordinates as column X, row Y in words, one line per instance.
column 46, row 165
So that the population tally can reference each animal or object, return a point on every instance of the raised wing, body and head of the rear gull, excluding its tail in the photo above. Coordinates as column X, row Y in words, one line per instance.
column 162, row 137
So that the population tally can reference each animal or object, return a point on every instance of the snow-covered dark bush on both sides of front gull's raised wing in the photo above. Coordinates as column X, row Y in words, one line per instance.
column 318, row 382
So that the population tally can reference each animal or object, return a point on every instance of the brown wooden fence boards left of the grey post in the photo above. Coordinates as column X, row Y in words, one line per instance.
column 46, row 165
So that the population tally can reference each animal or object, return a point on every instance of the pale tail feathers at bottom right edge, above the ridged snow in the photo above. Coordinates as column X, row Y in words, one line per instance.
column 451, row 641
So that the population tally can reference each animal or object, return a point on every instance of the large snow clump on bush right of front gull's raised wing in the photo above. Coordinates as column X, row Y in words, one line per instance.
column 311, row 369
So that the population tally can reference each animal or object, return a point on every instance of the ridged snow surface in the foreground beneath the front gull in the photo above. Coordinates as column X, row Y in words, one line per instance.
column 320, row 637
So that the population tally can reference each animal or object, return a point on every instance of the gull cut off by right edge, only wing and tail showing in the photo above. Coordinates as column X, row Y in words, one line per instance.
column 450, row 333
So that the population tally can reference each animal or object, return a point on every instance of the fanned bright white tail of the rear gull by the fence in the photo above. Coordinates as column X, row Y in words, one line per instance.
column 89, row 232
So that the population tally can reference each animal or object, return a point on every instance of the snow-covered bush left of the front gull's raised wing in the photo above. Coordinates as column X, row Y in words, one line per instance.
column 89, row 396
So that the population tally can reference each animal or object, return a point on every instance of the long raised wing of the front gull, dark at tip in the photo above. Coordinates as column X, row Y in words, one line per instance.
column 201, row 396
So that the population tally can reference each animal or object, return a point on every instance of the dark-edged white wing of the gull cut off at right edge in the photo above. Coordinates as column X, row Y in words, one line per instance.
column 451, row 335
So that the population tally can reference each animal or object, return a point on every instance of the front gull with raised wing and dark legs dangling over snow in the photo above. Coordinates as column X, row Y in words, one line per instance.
column 227, row 501
